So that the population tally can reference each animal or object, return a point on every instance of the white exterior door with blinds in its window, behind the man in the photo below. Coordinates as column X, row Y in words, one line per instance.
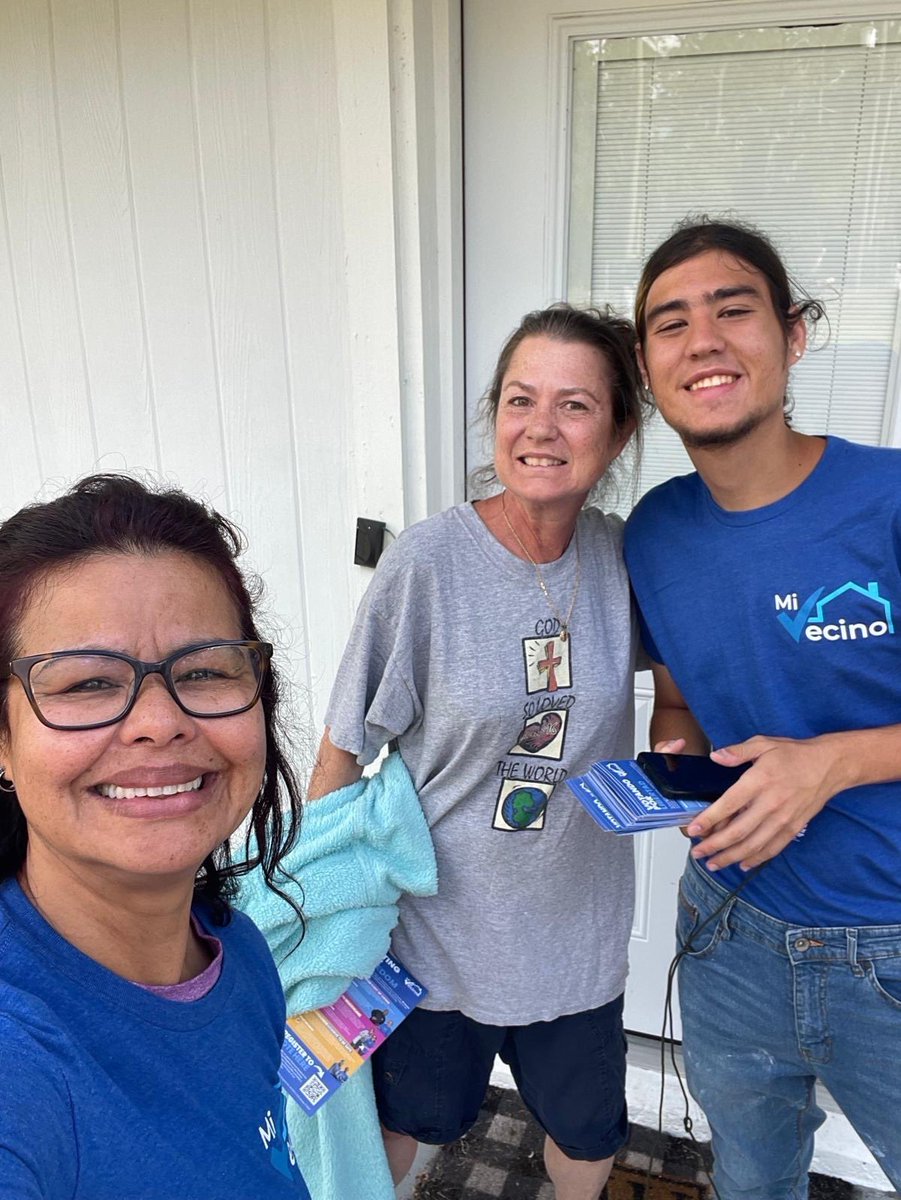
column 532, row 229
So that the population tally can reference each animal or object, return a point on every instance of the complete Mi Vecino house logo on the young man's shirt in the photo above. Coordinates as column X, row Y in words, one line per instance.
column 820, row 619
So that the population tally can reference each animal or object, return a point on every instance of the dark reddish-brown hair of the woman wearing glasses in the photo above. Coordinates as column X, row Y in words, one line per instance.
column 116, row 514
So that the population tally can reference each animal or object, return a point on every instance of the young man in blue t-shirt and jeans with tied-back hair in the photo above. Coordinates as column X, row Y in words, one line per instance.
column 770, row 586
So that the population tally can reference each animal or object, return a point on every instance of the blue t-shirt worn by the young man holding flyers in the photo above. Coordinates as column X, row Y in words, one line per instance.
column 786, row 621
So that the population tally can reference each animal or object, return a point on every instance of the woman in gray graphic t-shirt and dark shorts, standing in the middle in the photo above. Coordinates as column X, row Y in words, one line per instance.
column 497, row 645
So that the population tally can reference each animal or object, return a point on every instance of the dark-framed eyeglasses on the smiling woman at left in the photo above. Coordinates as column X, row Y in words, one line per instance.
column 89, row 689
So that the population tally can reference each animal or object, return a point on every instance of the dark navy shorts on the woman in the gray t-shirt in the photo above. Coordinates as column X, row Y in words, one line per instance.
column 433, row 1075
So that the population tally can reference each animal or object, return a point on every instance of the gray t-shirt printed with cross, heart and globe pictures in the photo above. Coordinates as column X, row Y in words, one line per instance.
column 456, row 653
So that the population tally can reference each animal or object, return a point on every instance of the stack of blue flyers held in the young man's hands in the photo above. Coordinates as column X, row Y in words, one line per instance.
column 622, row 799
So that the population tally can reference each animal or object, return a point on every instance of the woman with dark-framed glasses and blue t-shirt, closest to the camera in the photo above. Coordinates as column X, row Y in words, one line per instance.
column 141, row 1018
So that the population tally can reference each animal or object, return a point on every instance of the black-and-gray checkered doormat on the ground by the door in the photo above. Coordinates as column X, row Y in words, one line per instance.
column 501, row 1160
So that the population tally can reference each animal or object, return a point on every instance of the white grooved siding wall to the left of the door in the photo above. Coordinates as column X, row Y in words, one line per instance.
column 202, row 267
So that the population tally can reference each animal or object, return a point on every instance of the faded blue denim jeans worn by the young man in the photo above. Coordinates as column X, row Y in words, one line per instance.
column 768, row 1010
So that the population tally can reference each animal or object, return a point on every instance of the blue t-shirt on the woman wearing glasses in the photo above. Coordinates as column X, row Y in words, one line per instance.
column 109, row 1093
